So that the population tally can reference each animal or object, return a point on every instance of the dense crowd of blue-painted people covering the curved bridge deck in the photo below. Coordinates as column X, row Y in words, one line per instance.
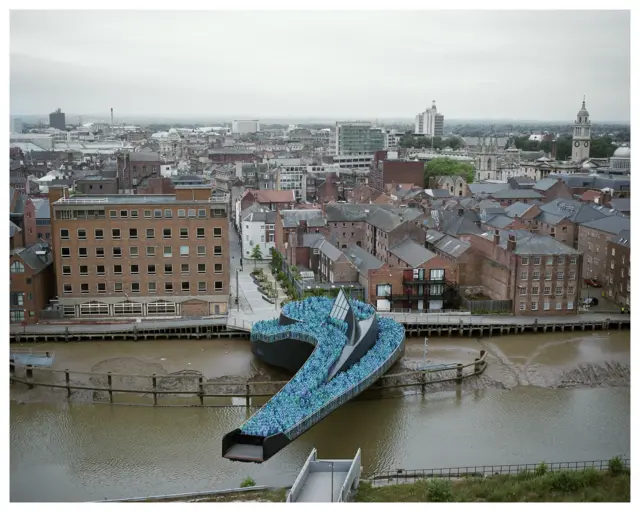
column 308, row 391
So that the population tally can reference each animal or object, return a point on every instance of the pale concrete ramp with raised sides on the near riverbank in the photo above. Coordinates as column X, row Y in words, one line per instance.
column 326, row 481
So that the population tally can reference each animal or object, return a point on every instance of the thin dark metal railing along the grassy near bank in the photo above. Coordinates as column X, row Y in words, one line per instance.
column 402, row 476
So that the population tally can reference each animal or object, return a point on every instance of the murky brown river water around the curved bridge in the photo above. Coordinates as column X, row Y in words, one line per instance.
column 560, row 397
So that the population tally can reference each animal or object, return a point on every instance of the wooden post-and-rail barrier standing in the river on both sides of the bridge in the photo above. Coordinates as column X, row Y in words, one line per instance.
column 190, row 388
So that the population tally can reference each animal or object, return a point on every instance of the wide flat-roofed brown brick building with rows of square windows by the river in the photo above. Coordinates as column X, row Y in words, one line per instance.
column 141, row 255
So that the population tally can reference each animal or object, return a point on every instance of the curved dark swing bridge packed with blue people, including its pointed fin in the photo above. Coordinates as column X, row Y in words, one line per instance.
column 337, row 348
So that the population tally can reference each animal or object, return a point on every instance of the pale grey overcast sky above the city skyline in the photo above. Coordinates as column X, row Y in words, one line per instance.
column 533, row 65
